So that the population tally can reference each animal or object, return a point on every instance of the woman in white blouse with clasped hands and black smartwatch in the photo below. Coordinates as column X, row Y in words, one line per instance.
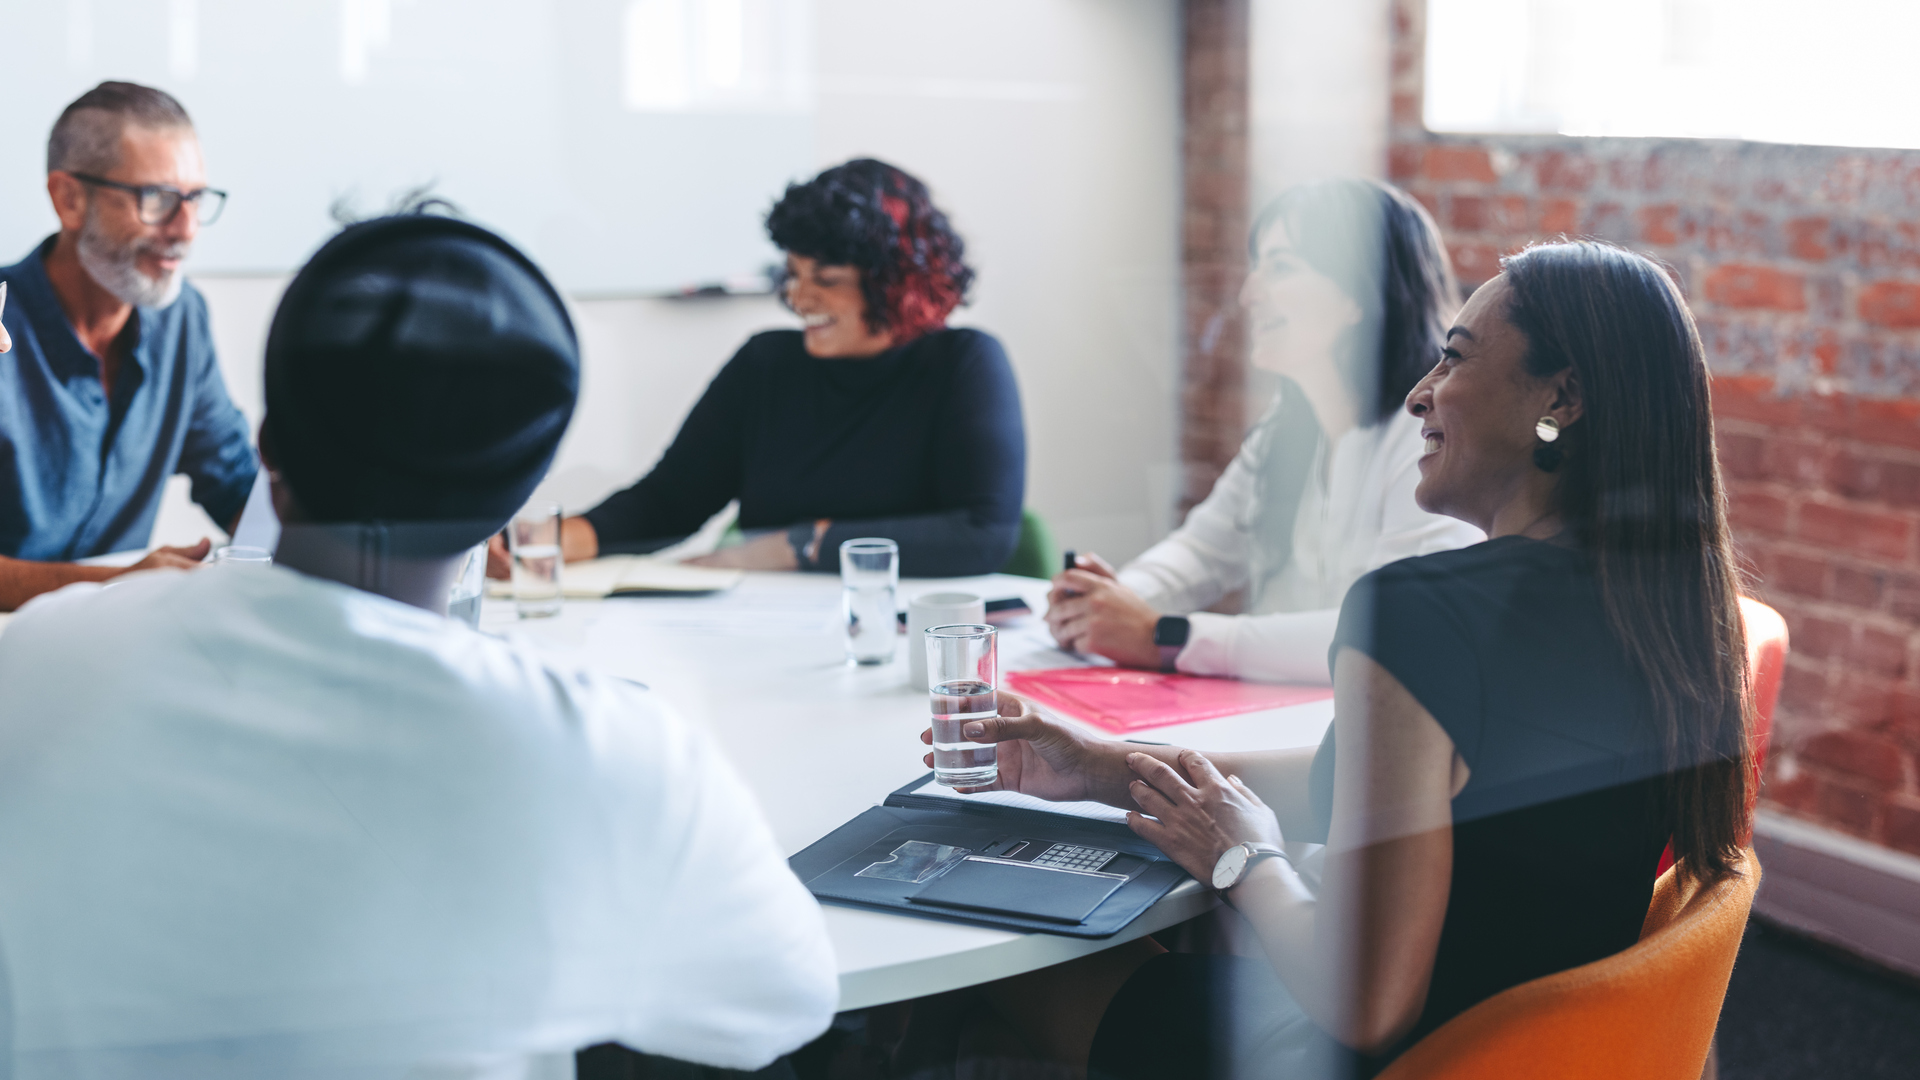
column 1347, row 301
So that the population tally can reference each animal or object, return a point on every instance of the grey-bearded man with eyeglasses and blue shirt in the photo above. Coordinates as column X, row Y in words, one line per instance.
column 112, row 385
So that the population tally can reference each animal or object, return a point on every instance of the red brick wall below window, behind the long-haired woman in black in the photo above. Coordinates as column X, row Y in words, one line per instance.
column 1804, row 270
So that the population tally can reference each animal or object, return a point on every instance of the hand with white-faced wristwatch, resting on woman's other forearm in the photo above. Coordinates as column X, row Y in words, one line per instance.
column 1199, row 816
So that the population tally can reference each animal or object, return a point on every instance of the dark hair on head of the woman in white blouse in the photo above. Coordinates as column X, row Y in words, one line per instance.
column 1385, row 251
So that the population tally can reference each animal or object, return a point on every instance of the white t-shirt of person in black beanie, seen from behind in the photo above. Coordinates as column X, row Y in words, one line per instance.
column 266, row 825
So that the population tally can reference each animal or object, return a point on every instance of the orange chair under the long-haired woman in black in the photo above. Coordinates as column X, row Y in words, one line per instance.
column 1646, row 1014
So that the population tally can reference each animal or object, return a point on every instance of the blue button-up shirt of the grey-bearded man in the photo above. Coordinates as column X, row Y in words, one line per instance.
column 82, row 476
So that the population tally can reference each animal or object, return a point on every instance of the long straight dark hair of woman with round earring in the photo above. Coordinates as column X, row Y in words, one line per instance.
column 1641, row 487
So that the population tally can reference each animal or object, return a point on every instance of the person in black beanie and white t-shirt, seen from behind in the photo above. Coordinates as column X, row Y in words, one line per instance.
column 293, row 822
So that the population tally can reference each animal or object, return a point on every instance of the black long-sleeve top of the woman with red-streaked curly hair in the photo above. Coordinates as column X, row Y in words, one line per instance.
column 923, row 445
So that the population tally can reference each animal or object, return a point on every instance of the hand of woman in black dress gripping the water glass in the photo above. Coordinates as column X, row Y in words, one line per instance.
column 1044, row 760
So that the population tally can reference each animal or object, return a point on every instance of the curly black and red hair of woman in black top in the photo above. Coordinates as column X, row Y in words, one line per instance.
column 880, row 220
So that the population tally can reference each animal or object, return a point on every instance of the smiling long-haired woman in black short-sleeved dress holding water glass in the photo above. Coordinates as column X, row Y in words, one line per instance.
column 1520, row 727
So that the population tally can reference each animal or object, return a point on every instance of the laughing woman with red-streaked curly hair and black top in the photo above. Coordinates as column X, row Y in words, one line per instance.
column 873, row 420
